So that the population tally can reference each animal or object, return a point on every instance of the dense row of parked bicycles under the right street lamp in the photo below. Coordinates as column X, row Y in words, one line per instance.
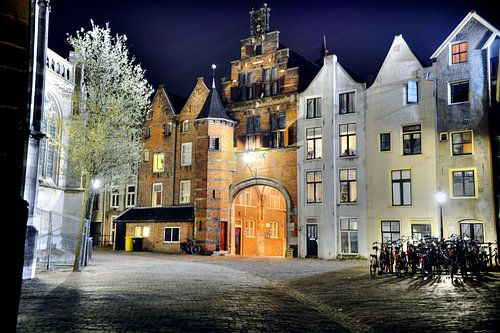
column 430, row 255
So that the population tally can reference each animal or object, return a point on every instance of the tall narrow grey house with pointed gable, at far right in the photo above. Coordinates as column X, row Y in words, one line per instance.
column 466, row 67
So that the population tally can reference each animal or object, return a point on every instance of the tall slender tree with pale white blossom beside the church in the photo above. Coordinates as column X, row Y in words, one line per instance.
column 105, row 130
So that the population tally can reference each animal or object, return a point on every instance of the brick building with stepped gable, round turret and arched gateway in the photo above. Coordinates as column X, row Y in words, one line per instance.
column 233, row 160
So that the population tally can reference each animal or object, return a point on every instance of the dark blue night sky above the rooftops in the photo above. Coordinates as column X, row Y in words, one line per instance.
column 177, row 41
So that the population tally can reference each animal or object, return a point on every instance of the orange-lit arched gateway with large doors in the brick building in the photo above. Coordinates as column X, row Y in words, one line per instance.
column 260, row 213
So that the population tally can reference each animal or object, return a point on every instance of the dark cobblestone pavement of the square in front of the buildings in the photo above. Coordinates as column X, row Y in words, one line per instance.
column 147, row 292
